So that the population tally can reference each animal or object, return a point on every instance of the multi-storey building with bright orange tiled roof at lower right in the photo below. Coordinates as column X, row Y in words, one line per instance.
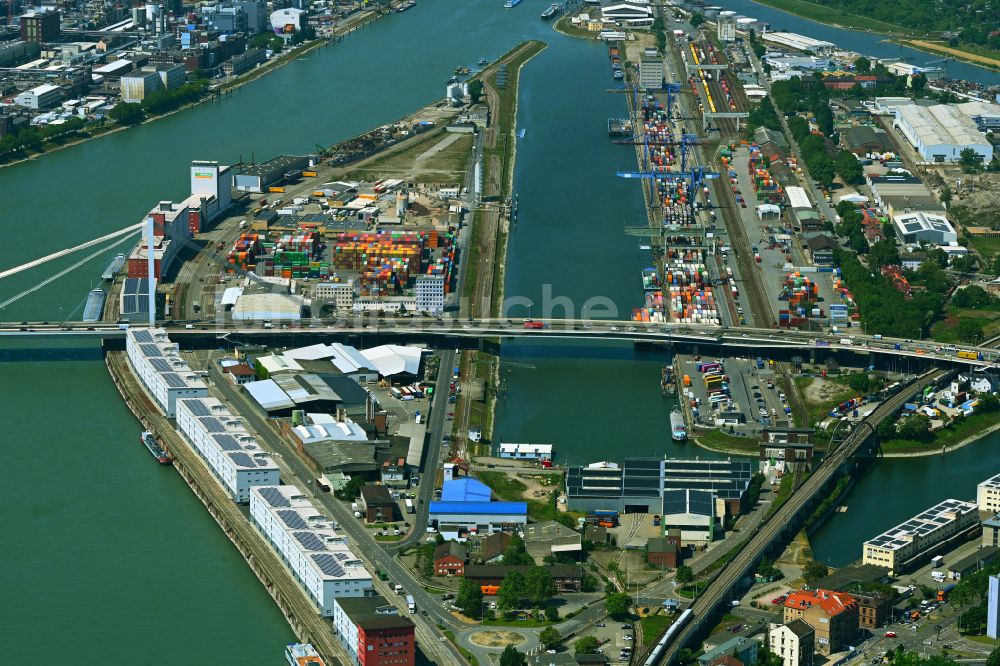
column 832, row 615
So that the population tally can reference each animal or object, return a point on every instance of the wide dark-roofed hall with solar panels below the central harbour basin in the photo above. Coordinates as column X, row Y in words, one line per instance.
column 638, row 485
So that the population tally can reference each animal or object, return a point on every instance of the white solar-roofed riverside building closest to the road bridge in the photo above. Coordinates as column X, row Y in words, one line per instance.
column 157, row 363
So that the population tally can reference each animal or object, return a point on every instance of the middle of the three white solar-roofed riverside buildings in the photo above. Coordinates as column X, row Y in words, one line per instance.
column 230, row 451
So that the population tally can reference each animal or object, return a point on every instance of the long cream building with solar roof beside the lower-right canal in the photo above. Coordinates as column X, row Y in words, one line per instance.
column 902, row 546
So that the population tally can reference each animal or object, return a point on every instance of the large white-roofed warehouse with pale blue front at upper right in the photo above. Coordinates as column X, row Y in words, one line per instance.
column 940, row 133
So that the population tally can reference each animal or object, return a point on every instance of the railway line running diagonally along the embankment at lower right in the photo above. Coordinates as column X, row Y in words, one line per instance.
column 736, row 569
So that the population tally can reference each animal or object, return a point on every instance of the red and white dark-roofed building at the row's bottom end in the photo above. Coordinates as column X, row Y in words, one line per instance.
column 373, row 632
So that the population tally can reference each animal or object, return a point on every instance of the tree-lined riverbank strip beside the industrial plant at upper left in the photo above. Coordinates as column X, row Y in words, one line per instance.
column 215, row 95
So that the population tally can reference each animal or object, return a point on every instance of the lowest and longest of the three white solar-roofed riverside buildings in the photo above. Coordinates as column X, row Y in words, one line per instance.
column 309, row 544
